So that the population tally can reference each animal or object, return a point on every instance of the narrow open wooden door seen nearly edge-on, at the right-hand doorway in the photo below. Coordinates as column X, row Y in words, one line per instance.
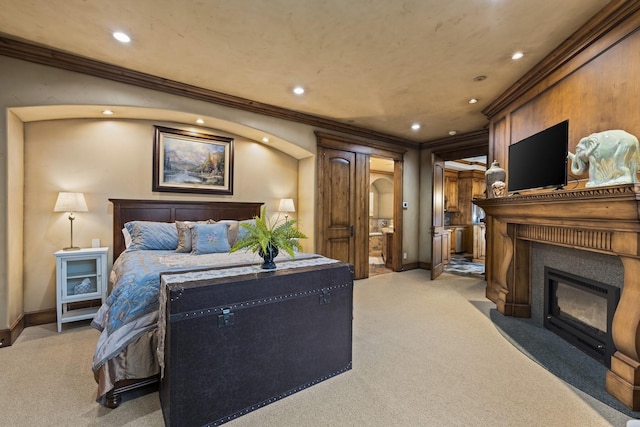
column 438, row 243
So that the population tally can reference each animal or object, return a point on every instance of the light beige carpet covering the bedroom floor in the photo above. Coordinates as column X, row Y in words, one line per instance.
column 425, row 353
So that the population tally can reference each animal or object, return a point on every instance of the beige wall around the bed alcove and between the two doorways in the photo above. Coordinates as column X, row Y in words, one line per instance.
column 84, row 154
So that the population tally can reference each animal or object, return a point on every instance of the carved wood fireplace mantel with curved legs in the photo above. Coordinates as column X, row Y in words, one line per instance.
column 600, row 219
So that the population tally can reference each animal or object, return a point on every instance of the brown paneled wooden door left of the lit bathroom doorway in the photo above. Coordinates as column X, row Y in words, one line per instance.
column 338, row 204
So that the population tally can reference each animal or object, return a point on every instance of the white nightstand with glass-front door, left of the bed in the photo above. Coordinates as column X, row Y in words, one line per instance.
column 81, row 275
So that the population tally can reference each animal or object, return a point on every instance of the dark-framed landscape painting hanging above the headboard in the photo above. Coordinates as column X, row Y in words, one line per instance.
column 192, row 162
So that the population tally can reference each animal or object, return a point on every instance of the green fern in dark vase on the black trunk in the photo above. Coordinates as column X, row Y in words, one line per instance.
column 269, row 238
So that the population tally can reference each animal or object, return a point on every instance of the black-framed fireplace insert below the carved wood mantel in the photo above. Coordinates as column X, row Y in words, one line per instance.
column 580, row 310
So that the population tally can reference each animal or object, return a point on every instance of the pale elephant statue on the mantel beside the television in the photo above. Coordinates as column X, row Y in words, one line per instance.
column 612, row 157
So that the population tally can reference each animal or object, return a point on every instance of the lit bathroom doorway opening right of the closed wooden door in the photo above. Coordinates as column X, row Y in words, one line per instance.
column 381, row 215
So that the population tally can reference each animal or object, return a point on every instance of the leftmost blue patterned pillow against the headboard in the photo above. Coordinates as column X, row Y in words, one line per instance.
column 150, row 235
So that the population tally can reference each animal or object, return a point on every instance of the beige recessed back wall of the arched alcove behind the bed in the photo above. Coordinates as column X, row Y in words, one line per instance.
column 112, row 159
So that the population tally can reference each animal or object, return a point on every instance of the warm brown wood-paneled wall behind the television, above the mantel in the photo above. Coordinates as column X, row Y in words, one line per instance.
column 593, row 80
